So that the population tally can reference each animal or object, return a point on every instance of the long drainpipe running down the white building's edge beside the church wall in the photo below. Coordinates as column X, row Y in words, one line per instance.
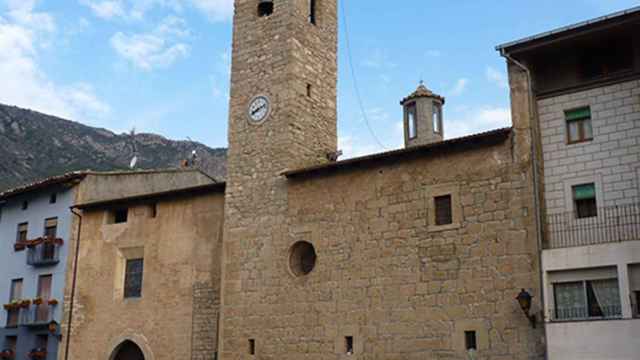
column 536, row 184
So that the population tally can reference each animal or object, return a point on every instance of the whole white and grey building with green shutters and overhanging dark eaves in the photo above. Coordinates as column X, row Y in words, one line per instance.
column 585, row 82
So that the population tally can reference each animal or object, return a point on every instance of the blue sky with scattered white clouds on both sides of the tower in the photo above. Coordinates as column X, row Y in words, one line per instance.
column 162, row 66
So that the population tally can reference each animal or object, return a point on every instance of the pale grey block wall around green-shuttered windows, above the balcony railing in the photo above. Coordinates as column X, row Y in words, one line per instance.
column 611, row 160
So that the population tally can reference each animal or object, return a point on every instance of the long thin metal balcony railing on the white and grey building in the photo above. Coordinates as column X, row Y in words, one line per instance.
column 611, row 224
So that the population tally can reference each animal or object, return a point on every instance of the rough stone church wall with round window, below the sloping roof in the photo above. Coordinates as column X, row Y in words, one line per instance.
column 402, row 288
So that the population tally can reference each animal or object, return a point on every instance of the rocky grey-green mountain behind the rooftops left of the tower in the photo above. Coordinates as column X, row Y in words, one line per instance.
column 35, row 146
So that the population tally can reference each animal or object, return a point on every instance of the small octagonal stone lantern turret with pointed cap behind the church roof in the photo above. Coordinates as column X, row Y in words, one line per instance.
column 422, row 117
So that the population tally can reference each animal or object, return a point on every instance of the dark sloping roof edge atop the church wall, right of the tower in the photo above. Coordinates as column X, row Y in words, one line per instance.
column 467, row 142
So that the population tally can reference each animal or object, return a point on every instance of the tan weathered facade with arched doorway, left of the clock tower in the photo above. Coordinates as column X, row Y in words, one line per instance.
column 179, row 238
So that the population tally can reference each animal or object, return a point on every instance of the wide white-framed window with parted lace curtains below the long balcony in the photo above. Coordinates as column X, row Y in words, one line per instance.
column 586, row 294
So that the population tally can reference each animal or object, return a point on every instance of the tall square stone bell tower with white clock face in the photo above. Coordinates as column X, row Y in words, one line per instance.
column 282, row 116
